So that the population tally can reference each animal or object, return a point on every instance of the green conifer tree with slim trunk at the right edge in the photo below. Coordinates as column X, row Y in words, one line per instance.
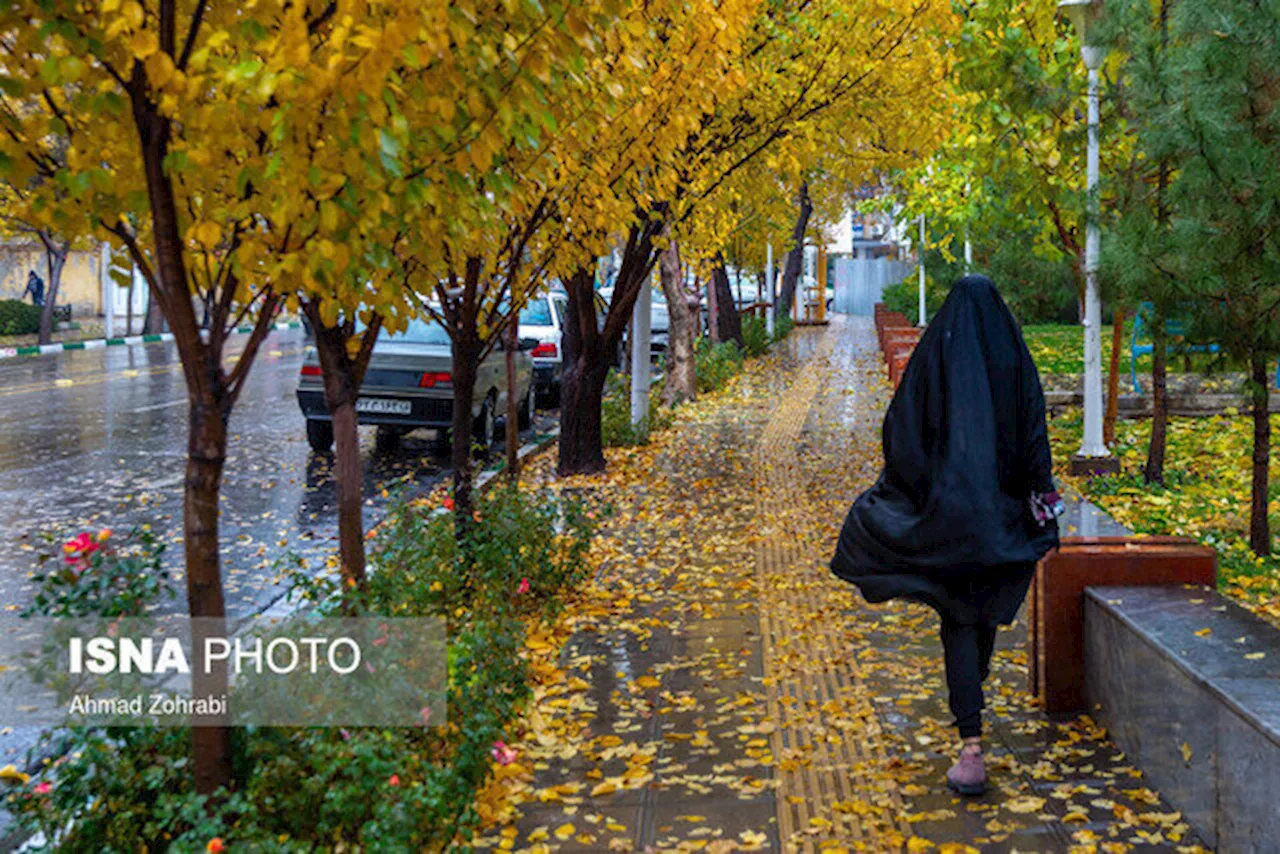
column 1209, row 113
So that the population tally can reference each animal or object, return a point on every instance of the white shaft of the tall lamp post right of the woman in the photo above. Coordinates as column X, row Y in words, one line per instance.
column 1094, row 446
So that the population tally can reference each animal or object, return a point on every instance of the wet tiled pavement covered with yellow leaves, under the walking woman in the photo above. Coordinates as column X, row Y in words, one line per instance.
column 720, row 691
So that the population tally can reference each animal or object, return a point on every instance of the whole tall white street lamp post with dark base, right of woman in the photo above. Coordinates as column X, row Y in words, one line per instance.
column 1094, row 458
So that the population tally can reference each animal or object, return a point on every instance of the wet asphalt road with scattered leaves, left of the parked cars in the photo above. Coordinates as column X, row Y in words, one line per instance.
column 97, row 439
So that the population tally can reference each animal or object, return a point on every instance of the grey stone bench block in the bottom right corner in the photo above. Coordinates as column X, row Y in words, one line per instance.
column 1188, row 683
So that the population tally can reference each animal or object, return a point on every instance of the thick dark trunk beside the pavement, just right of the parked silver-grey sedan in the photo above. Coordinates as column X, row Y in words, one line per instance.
column 582, row 442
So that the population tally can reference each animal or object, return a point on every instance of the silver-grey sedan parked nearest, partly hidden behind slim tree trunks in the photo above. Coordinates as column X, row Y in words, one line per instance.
column 409, row 385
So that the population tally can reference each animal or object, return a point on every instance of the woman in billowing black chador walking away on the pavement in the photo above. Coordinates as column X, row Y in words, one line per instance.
column 966, row 505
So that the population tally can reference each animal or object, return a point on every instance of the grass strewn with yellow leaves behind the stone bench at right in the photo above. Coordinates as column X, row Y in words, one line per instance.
column 1206, row 494
